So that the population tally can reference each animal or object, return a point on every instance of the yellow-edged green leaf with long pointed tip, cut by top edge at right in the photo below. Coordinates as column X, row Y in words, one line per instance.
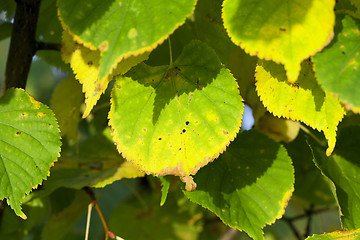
column 286, row 32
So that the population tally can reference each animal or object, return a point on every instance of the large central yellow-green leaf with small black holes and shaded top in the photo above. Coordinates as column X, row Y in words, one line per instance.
column 175, row 119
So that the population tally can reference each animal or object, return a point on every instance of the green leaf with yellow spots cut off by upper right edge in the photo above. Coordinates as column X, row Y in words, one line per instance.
column 337, row 66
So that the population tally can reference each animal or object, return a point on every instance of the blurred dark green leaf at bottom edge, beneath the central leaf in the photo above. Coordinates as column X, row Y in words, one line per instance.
column 133, row 220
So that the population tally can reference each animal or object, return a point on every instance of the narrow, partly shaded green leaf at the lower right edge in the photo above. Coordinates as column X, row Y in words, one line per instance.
column 343, row 169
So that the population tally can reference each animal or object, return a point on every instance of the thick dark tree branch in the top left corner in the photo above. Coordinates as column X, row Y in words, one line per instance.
column 22, row 45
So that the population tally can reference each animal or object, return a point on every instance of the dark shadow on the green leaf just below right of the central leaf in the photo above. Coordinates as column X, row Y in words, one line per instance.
column 245, row 160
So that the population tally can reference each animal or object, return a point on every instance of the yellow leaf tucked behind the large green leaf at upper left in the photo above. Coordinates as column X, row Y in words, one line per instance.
column 85, row 64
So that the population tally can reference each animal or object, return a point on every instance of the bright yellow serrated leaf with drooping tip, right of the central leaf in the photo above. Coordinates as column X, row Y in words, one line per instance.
column 303, row 101
